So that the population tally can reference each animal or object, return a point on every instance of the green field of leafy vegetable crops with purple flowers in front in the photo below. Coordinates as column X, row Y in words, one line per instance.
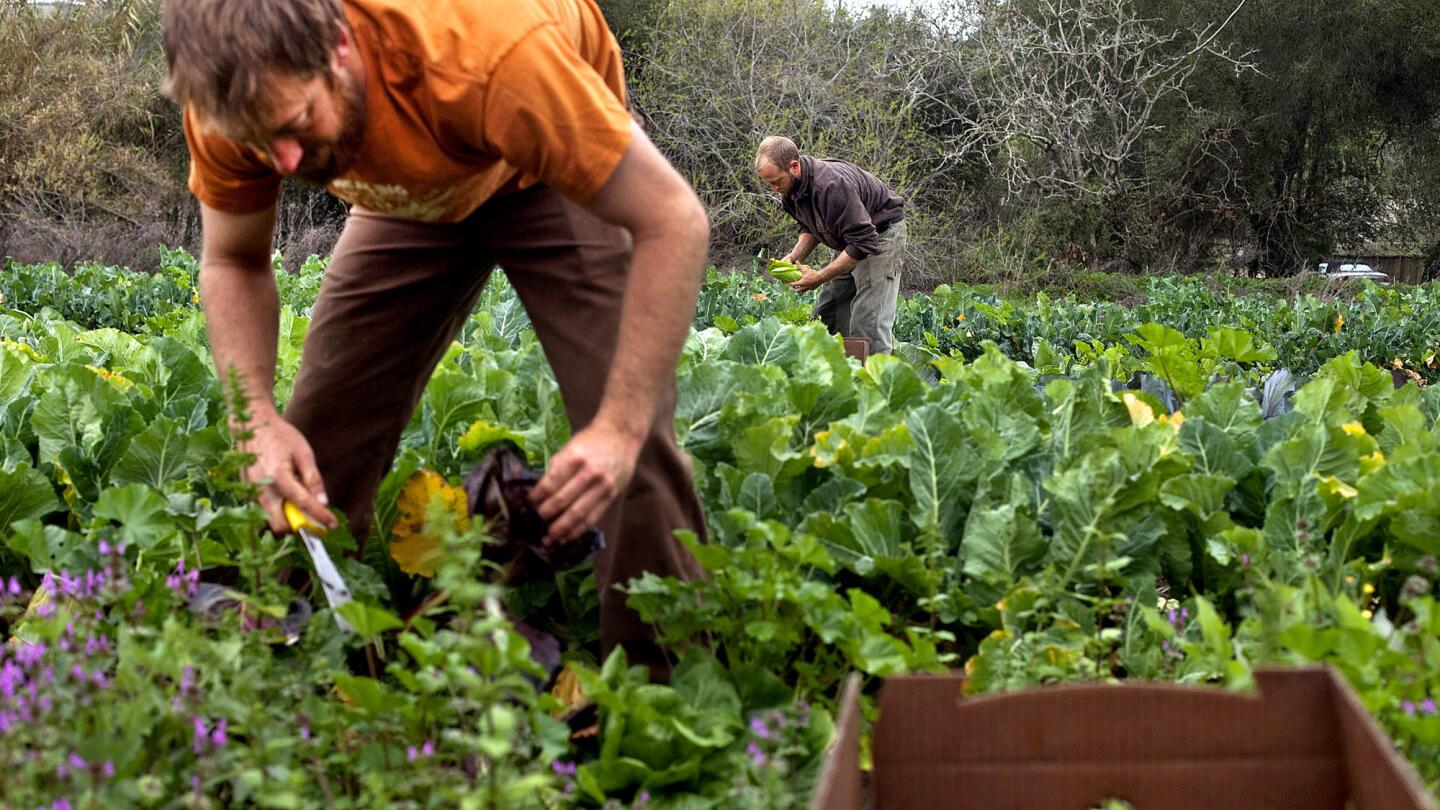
column 1180, row 488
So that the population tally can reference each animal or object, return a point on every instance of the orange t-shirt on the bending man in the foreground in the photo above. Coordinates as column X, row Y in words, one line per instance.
column 466, row 100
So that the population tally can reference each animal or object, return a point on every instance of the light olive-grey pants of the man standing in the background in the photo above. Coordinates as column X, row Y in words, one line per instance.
column 863, row 302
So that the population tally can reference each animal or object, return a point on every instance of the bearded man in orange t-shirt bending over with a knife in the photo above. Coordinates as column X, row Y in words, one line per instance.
column 466, row 135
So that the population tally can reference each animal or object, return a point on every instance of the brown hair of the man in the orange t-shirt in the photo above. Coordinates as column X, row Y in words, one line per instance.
column 221, row 51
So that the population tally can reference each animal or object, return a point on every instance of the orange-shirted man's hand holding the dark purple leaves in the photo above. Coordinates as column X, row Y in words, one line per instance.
column 584, row 479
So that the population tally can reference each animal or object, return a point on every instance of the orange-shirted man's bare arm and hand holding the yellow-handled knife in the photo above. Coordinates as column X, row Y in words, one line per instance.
column 243, row 316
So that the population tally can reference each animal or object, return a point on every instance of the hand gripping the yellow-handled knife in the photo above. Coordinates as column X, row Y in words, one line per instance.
column 286, row 469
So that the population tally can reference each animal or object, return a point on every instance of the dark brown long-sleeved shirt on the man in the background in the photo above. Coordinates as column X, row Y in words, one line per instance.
column 843, row 205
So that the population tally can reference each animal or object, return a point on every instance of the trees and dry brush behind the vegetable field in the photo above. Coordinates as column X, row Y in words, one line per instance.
column 1297, row 132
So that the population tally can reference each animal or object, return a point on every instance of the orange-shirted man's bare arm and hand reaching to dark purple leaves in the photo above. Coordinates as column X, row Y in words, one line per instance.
column 672, row 233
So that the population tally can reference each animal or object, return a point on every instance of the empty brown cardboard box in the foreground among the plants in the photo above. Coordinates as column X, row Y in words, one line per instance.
column 1304, row 743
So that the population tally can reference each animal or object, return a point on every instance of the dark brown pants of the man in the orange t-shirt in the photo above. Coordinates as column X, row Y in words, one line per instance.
column 395, row 296
